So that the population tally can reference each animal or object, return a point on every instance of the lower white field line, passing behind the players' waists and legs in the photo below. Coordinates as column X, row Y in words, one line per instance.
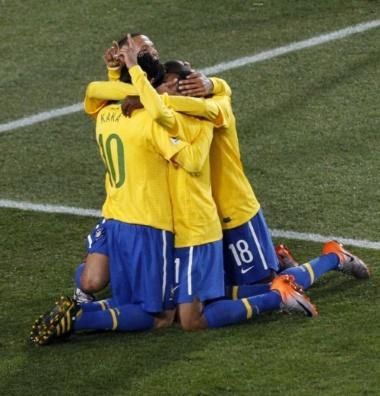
column 96, row 213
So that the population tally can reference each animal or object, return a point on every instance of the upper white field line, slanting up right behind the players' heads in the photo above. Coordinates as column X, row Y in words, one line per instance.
column 262, row 56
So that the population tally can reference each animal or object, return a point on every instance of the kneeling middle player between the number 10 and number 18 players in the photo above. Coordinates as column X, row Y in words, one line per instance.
column 199, row 269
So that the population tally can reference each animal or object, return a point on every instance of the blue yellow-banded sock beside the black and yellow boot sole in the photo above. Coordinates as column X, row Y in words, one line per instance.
column 128, row 317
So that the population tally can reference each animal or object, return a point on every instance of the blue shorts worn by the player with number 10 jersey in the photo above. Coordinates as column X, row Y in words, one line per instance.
column 141, row 265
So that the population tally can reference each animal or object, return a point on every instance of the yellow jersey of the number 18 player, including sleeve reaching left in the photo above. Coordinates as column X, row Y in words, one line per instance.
column 232, row 192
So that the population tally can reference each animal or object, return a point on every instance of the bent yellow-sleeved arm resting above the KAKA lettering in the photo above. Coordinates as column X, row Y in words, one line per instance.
column 98, row 93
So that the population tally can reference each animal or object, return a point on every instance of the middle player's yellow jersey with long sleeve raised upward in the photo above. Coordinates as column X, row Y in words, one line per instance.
column 196, row 218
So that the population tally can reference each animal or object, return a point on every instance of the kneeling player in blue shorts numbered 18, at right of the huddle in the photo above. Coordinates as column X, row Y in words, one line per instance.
column 249, row 255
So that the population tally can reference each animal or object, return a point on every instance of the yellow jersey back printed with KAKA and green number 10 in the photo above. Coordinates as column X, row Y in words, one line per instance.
column 137, row 172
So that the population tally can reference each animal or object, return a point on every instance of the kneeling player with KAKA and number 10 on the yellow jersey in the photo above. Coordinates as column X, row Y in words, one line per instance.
column 138, row 227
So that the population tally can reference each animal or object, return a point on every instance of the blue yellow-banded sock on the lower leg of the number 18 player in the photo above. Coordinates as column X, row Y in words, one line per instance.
column 306, row 274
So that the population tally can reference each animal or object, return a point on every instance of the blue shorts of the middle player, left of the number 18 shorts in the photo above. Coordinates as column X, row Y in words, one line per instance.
column 198, row 273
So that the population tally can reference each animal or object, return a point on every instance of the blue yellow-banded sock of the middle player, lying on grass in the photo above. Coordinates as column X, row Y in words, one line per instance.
column 227, row 312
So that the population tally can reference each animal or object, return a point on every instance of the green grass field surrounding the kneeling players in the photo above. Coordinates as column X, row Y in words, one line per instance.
column 309, row 131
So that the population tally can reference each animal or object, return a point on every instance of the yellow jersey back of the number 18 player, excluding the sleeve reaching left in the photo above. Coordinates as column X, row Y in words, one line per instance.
column 232, row 191
